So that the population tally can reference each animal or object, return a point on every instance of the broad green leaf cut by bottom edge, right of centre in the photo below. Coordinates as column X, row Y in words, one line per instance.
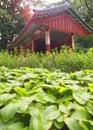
column 73, row 124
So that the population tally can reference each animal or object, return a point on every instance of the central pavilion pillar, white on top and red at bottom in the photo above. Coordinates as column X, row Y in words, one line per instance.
column 47, row 41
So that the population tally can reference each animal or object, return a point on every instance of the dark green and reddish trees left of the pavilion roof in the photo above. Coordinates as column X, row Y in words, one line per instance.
column 13, row 17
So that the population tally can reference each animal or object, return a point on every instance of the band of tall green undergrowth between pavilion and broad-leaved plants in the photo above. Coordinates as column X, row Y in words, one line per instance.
column 65, row 61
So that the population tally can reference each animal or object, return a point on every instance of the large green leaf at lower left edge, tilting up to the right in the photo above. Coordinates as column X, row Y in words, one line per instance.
column 9, row 111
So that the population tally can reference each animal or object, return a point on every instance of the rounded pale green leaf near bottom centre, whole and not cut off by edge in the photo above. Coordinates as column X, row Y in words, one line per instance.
column 51, row 113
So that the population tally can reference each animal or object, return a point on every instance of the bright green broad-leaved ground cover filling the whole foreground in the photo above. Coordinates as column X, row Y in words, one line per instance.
column 37, row 99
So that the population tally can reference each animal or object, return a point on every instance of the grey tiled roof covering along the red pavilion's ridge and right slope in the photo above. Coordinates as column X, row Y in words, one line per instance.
column 40, row 14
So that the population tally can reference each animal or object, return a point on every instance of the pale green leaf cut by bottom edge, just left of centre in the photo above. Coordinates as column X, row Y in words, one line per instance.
column 37, row 123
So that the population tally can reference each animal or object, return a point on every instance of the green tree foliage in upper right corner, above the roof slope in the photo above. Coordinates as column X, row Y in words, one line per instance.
column 85, row 9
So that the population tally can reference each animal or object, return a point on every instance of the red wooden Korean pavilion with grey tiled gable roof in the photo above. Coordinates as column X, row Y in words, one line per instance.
column 51, row 28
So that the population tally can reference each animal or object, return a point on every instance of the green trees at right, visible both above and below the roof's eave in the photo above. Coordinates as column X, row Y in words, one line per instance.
column 84, row 8
